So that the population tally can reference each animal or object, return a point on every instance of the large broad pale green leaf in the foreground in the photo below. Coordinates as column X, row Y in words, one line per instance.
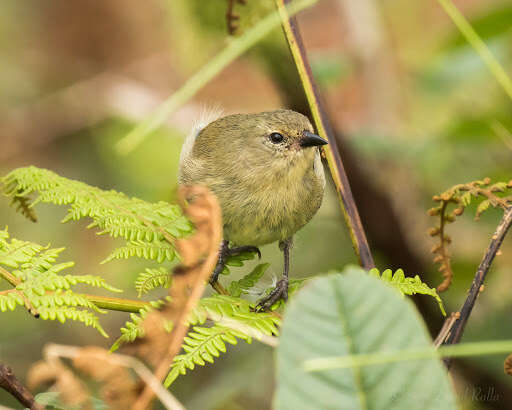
column 352, row 314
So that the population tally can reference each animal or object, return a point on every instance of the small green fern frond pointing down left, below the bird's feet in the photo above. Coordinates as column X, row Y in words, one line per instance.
column 202, row 345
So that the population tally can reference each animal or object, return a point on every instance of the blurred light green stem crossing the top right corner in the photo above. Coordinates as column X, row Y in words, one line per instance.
column 477, row 43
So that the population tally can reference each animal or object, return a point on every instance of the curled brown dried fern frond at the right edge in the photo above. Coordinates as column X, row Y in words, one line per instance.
column 461, row 195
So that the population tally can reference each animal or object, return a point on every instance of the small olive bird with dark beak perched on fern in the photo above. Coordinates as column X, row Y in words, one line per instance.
column 266, row 172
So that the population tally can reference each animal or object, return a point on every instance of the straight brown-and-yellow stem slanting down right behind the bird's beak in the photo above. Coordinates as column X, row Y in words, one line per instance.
column 348, row 205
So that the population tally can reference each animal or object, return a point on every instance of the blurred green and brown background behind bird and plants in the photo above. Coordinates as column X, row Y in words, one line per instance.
column 414, row 109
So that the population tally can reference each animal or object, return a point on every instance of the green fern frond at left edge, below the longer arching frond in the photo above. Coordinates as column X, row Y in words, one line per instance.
column 40, row 286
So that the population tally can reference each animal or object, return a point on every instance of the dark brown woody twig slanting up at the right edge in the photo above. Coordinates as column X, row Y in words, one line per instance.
column 454, row 334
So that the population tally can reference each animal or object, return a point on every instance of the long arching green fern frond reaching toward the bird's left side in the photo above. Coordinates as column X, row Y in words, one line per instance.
column 149, row 229
